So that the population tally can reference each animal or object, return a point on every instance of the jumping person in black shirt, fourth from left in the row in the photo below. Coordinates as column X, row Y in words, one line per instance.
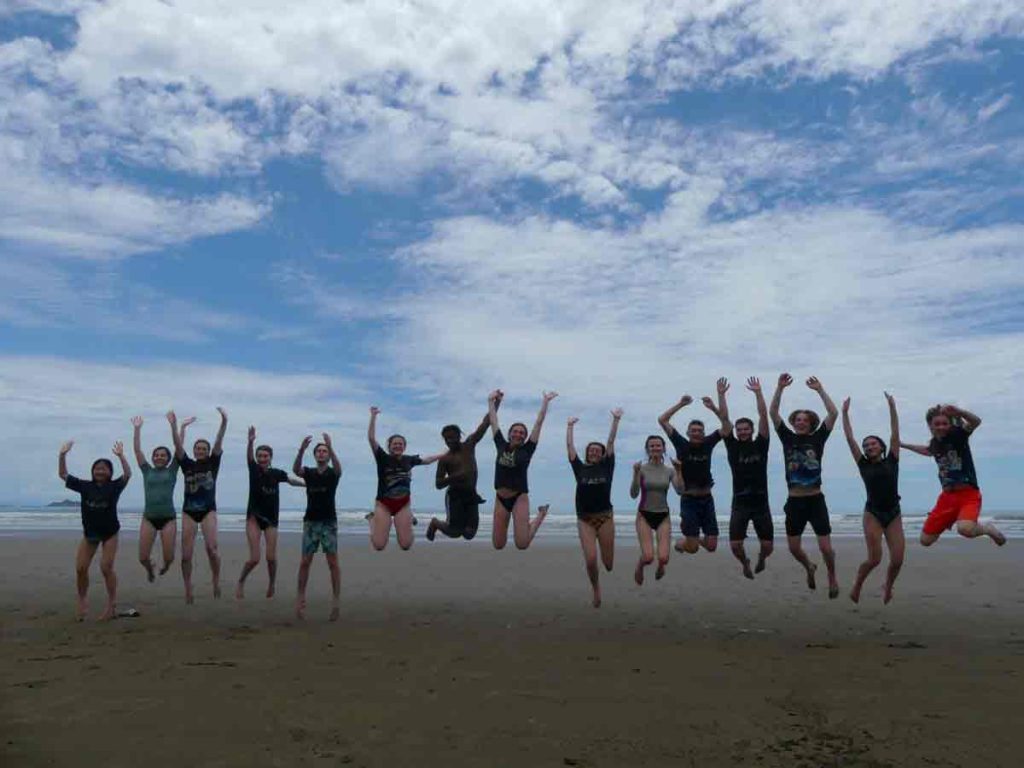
column 263, row 511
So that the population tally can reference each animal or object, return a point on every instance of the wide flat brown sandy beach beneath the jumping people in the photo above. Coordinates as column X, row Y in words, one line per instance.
column 454, row 655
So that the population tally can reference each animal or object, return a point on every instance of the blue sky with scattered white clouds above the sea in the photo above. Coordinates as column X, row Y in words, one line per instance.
column 298, row 210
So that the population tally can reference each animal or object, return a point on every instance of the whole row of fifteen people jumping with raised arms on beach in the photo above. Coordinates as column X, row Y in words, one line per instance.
column 803, row 437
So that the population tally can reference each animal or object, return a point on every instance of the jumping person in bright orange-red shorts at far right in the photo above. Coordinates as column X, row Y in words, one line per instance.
column 960, row 502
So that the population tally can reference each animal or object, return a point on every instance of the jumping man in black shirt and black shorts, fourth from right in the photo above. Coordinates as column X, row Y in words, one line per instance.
column 749, row 462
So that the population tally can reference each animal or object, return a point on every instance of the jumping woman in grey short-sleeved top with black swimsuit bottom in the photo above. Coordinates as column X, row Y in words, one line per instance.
column 651, row 483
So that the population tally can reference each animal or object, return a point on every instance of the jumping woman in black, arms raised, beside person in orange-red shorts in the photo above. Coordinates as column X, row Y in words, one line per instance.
column 880, row 472
